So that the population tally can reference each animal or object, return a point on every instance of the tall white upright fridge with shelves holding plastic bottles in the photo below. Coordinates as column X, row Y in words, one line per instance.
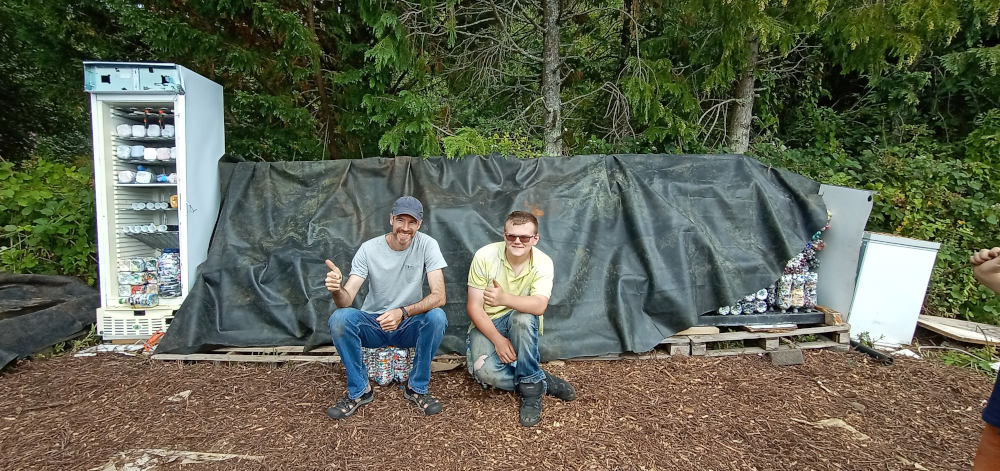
column 158, row 135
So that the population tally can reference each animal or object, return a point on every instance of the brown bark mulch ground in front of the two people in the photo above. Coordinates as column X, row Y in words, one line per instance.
column 838, row 411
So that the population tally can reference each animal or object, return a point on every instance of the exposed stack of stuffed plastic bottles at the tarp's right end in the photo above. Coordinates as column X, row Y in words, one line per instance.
column 795, row 290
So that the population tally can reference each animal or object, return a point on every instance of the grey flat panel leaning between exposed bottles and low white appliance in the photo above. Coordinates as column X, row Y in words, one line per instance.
column 838, row 271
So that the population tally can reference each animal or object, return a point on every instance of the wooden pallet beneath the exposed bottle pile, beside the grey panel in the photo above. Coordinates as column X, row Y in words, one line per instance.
column 836, row 337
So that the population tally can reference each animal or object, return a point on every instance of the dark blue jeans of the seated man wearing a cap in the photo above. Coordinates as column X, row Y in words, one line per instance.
column 352, row 329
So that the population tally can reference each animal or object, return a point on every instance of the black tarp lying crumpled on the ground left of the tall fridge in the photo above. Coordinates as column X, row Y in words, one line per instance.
column 38, row 311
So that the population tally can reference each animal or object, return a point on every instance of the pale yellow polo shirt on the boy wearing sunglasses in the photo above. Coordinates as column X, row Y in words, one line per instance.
column 489, row 263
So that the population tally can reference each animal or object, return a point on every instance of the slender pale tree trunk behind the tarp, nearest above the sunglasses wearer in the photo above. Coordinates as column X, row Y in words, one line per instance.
column 551, row 83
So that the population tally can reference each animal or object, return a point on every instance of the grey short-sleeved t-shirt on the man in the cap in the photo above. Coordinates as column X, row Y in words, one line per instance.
column 395, row 278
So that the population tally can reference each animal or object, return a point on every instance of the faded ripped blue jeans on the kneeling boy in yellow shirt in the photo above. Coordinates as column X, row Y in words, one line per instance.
column 522, row 331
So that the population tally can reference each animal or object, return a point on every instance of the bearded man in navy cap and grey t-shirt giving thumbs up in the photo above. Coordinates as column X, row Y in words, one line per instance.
column 395, row 311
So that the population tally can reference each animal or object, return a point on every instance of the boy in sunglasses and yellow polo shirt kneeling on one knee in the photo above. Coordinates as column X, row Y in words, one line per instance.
column 510, row 283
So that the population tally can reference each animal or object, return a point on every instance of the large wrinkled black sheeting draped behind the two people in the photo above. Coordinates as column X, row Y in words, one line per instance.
column 642, row 244
